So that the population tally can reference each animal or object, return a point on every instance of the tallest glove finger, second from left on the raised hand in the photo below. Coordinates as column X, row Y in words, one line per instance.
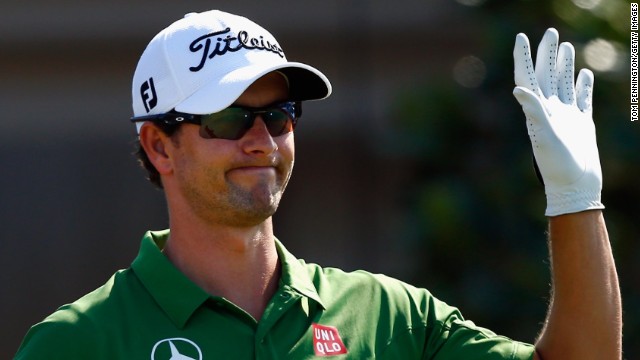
column 546, row 63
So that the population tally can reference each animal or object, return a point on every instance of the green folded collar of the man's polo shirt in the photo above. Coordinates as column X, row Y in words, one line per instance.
column 179, row 297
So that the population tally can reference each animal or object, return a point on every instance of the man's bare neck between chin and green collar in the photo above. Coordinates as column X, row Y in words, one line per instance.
column 239, row 264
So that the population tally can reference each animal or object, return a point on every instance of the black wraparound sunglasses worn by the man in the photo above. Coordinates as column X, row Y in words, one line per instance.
column 233, row 122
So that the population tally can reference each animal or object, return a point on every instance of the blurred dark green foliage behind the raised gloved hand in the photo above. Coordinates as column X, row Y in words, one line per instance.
column 478, row 207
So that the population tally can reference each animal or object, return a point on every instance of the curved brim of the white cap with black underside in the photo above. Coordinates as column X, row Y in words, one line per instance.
column 305, row 83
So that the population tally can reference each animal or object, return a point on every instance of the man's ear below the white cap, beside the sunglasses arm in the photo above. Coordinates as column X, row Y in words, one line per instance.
column 158, row 147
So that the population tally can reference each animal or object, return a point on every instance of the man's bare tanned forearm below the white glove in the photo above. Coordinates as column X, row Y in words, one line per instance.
column 585, row 315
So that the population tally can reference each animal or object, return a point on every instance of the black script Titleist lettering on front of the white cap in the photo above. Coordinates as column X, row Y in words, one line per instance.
column 229, row 44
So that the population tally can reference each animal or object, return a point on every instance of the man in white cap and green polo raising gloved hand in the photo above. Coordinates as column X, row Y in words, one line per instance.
column 215, row 104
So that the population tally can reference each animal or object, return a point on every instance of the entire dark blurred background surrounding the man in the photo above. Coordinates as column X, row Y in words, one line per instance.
column 418, row 166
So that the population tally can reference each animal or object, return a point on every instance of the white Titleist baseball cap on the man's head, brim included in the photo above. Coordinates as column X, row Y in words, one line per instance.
column 202, row 63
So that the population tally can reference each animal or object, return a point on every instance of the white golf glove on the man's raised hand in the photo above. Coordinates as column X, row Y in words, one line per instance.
column 560, row 124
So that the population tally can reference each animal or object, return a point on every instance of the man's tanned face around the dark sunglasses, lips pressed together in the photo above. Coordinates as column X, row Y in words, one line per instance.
column 236, row 182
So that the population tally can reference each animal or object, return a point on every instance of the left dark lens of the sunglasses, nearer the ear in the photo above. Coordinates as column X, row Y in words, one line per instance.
column 230, row 124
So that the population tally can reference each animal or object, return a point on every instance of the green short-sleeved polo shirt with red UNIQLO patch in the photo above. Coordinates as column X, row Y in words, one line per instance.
column 152, row 311
